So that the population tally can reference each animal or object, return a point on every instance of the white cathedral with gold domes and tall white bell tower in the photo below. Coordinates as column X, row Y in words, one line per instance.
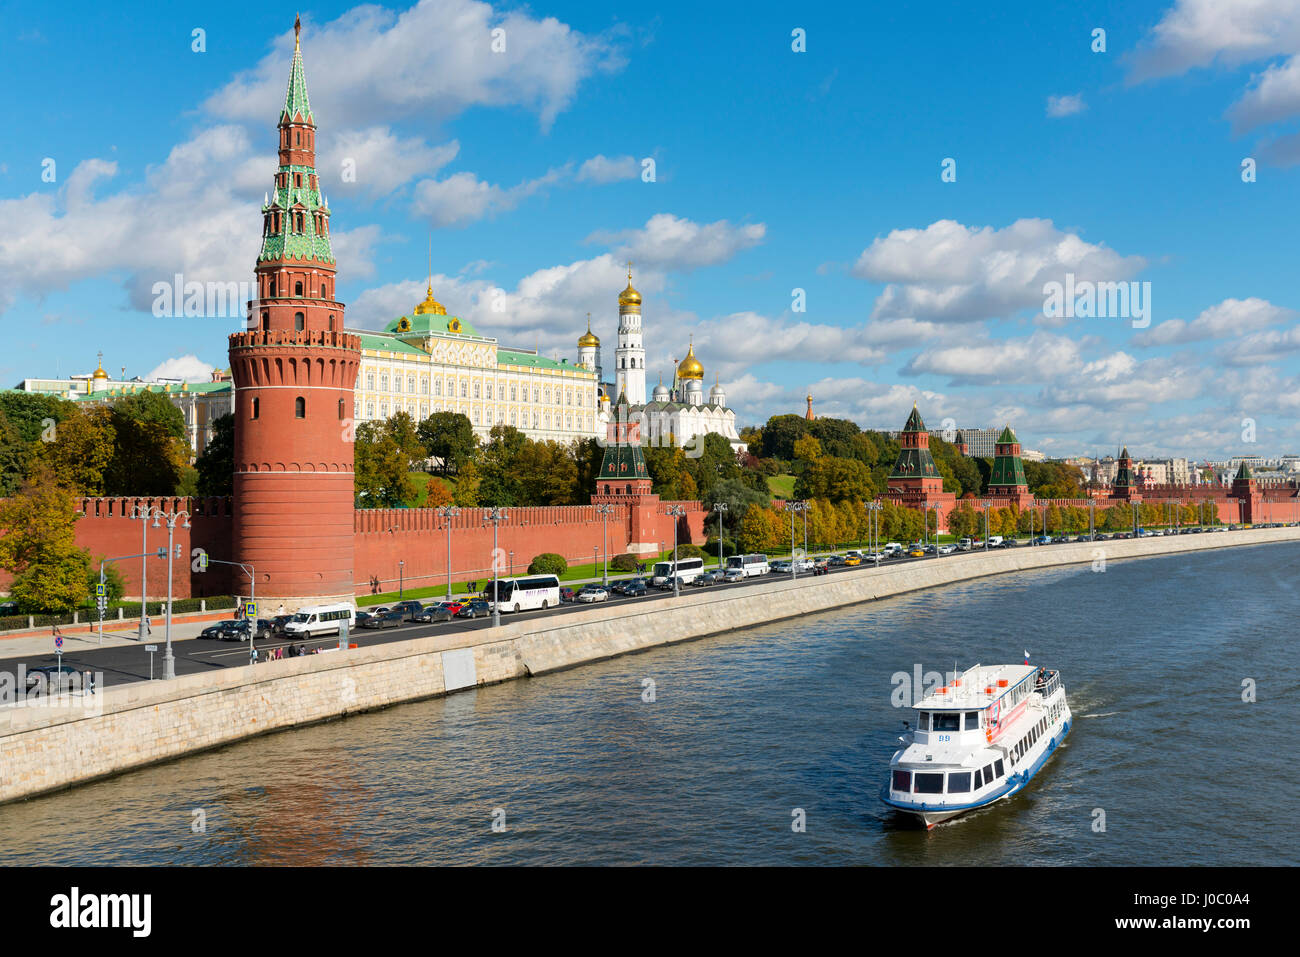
column 674, row 415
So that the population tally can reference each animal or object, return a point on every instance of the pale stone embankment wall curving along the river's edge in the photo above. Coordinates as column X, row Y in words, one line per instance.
column 132, row 726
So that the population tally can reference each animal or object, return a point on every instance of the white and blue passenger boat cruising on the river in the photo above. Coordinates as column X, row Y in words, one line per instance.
column 980, row 739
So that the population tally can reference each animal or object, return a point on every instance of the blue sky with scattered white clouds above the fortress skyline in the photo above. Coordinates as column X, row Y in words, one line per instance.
column 774, row 171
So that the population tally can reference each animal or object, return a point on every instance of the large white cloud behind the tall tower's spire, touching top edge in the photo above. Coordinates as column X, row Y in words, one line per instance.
column 436, row 60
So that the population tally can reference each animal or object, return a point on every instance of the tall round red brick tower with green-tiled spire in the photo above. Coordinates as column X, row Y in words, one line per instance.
column 294, row 371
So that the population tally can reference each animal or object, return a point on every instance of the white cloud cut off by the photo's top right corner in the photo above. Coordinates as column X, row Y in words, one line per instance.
column 1201, row 33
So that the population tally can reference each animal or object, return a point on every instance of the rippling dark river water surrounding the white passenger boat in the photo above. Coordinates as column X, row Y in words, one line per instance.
column 742, row 738
